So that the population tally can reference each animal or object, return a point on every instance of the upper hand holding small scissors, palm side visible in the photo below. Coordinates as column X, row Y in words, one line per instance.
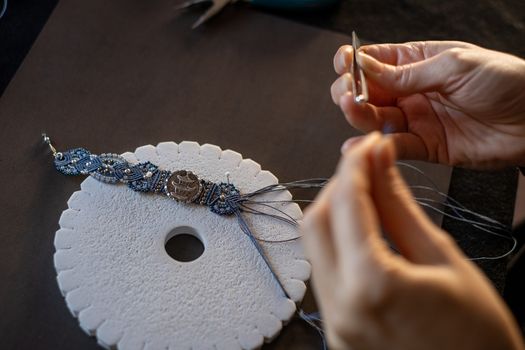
column 447, row 102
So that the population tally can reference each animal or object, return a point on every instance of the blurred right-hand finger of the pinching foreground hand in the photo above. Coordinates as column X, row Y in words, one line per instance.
column 405, row 223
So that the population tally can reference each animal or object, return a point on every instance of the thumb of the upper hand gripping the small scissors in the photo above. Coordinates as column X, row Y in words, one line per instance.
column 431, row 74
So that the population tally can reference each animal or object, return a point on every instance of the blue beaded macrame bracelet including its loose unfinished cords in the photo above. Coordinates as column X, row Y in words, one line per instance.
column 183, row 186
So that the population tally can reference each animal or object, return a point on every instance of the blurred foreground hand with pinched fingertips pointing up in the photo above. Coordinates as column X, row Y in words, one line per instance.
column 427, row 297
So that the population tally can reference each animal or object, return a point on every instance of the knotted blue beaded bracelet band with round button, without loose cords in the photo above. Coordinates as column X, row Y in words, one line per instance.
column 181, row 185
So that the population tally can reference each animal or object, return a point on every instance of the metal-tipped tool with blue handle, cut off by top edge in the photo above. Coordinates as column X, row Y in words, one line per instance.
column 218, row 5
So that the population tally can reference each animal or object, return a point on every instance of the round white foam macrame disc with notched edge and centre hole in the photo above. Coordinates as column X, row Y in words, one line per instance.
column 117, row 278
